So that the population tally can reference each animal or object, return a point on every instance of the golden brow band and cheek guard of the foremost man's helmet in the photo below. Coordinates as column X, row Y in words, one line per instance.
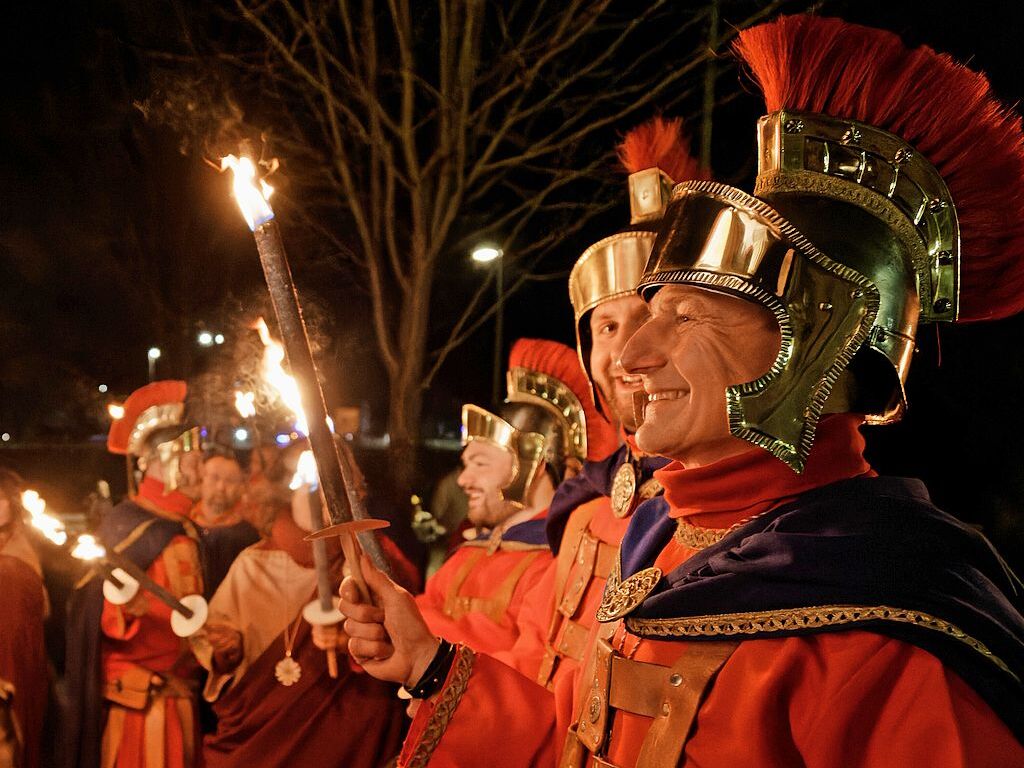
column 721, row 239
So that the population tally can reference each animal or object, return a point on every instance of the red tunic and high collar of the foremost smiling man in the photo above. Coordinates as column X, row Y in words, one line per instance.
column 851, row 698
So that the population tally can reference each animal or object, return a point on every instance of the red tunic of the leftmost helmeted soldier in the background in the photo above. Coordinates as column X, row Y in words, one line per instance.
column 134, row 646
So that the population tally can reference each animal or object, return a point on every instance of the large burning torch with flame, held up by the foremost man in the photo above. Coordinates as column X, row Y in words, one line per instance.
column 336, row 481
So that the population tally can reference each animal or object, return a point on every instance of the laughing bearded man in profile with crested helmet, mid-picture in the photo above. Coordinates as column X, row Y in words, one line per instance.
column 511, row 465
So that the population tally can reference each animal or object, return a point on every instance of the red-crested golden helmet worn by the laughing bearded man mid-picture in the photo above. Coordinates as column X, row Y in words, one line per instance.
column 545, row 423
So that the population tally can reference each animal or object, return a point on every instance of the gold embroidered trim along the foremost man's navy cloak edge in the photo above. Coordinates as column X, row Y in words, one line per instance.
column 803, row 619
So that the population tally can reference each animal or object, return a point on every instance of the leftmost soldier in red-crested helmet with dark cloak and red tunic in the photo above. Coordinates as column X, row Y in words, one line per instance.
column 132, row 680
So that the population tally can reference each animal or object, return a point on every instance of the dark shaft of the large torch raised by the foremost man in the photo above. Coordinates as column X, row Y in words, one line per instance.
column 344, row 504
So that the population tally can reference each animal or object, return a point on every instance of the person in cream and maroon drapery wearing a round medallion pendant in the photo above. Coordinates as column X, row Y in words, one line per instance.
column 275, row 701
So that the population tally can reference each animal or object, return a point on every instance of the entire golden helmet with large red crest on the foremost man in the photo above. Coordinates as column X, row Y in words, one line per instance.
column 855, row 237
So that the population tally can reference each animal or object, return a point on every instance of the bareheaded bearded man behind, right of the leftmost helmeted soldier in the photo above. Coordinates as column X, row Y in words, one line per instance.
column 224, row 531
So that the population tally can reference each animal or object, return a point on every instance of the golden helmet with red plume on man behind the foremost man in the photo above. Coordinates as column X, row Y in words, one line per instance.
column 654, row 154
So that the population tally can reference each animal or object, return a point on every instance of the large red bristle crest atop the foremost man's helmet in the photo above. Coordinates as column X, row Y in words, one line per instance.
column 943, row 109
